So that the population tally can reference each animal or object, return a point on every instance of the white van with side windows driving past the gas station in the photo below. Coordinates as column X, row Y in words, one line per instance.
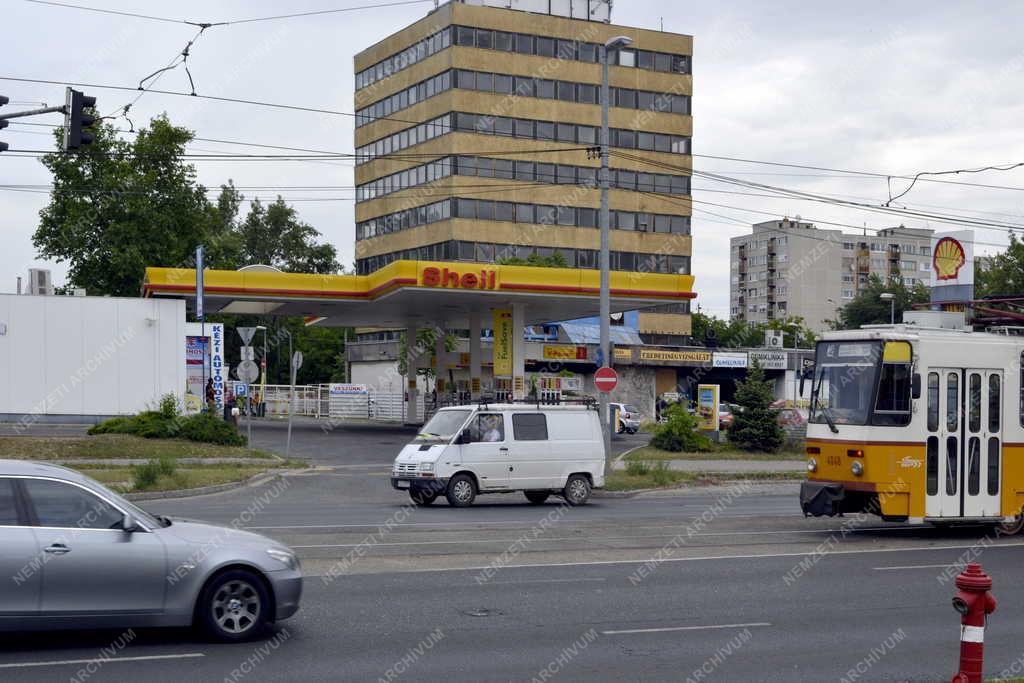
column 465, row 451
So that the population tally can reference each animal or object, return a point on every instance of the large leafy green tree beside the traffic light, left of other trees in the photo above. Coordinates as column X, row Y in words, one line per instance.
column 118, row 207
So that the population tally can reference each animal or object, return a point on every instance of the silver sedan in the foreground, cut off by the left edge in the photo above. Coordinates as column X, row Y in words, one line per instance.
column 76, row 556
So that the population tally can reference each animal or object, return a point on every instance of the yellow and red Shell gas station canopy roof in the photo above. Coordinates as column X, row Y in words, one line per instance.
column 407, row 294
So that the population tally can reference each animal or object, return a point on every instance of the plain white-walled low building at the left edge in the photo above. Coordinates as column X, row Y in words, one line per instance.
column 80, row 359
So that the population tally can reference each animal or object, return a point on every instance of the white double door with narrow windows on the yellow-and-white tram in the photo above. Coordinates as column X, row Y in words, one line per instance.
column 964, row 448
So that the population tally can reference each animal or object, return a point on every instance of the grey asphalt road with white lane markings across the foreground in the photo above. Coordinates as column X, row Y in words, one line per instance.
column 736, row 585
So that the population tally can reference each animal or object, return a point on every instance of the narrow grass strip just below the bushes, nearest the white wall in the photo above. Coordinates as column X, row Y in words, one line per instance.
column 116, row 447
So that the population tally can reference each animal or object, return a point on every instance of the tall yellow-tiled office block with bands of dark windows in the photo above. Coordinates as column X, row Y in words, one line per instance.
column 651, row 225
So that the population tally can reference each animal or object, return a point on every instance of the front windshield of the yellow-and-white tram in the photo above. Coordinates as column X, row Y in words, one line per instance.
column 845, row 377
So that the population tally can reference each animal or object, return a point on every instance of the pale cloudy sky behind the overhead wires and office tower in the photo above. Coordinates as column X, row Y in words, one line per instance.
column 889, row 88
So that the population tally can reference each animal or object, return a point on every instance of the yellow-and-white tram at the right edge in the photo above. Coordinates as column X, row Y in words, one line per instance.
column 917, row 424
